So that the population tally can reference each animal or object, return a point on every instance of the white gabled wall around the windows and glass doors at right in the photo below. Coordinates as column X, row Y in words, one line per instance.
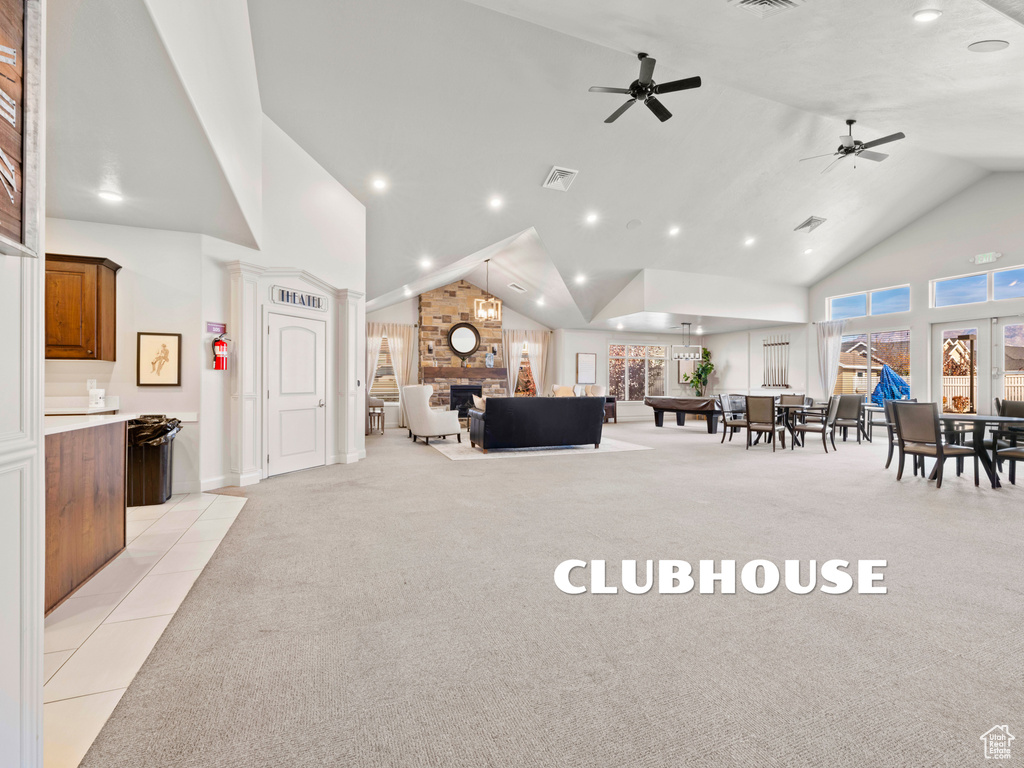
column 986, row 218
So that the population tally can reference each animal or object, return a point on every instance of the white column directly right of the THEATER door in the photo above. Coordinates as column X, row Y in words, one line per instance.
column 352, row 352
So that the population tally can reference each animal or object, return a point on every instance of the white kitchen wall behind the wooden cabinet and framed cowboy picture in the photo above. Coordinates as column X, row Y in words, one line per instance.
column 159, row 290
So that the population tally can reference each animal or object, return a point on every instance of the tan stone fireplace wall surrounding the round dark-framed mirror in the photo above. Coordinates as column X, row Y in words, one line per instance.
column 440, row 310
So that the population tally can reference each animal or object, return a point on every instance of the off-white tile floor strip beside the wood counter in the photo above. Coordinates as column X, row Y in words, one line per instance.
column 99, row 639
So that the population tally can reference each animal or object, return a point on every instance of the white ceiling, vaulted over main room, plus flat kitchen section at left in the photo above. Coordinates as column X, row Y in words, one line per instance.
column 455, row 102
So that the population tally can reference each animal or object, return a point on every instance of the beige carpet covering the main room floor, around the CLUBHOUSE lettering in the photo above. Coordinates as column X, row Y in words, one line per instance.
column 402, row 613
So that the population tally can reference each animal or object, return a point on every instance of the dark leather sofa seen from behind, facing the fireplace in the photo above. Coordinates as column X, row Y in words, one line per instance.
column 537, row 422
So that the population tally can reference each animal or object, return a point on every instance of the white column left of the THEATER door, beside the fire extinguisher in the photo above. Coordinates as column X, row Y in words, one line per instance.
column 245, row 445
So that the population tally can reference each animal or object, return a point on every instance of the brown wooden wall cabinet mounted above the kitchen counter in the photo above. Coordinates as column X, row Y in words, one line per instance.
column 81, row 309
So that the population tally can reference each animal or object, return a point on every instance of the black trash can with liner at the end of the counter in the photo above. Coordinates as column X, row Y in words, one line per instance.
column 151, row 441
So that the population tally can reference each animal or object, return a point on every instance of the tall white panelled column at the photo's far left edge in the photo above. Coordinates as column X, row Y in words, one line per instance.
column 23, row 460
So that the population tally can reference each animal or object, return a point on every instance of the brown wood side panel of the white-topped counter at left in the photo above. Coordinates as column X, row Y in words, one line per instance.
column 86, row 505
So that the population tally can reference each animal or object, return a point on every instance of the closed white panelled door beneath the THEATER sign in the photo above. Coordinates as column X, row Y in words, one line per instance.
column 296, row 394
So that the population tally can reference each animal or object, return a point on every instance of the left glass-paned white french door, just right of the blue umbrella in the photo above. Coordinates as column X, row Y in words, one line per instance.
column 962, row 360
